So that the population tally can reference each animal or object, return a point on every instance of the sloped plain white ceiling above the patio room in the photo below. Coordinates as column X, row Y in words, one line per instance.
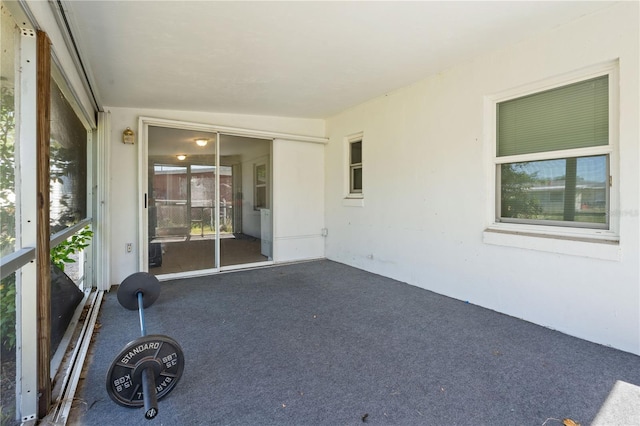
column 298, row 59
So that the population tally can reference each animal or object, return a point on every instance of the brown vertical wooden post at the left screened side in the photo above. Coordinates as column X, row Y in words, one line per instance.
column 43, row 67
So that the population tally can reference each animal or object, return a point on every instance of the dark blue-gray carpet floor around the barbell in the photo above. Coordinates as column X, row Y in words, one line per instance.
column 321, row 343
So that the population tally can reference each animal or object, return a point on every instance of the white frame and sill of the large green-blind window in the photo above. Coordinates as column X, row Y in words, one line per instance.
column 547, row 237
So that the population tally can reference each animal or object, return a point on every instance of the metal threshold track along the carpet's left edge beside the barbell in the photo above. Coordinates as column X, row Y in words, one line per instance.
column 70, row 376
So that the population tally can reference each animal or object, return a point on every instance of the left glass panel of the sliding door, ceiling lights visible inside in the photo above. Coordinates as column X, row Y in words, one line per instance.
column 181, row 200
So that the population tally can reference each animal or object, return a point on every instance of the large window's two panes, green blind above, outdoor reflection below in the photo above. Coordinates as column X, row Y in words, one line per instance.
column 553, row 156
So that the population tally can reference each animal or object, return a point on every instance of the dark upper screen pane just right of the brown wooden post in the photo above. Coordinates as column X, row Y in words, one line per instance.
column 68, row 164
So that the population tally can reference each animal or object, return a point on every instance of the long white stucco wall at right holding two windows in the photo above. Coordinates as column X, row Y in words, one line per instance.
column 427, row 191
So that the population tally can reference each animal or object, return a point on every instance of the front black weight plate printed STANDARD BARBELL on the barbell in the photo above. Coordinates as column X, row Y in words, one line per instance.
column 160, row 353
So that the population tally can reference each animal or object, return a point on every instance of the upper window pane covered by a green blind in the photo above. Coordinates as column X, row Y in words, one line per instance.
column 573, row 116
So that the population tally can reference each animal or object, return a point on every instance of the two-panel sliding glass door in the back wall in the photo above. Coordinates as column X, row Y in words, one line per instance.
column 206, row 210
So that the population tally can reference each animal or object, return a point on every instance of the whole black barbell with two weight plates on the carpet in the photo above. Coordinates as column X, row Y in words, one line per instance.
column 148, row 368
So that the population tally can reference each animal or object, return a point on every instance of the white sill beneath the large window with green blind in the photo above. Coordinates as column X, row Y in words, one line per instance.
column 576, row 242
